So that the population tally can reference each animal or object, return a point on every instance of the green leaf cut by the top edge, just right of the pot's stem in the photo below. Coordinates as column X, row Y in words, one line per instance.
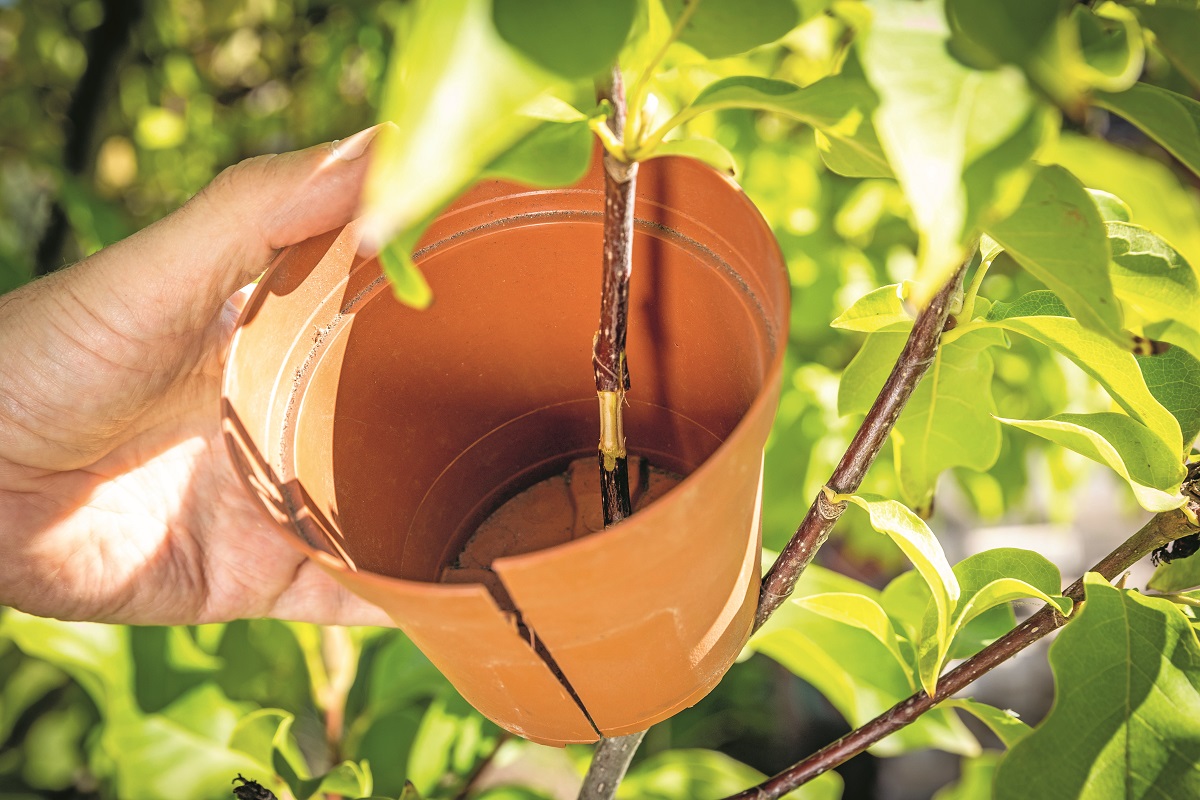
column 723, row 28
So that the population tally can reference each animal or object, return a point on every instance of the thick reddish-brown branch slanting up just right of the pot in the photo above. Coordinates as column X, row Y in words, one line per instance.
column 915, row 360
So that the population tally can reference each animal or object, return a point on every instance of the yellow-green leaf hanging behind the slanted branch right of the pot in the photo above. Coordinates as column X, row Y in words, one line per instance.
column 949, row 420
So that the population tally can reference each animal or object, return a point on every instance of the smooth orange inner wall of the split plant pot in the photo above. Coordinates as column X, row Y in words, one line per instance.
column 410, row 428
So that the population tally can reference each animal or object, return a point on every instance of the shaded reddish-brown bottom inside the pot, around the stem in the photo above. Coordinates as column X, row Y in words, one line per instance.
column 555, row 512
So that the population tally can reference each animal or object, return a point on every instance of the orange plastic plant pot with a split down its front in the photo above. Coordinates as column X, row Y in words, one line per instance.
column 380, row 437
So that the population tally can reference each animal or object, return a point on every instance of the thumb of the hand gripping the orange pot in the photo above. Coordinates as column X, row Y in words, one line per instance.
column 182, row 269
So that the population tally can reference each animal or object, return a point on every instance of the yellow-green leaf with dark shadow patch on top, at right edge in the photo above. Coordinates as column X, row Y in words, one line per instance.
column 1153, row 279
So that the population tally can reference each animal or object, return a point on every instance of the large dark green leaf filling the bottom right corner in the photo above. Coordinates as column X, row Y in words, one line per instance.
column 1126, row 720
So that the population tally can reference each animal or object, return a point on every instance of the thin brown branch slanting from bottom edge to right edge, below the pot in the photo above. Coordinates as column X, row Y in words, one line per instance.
column 1161, row 530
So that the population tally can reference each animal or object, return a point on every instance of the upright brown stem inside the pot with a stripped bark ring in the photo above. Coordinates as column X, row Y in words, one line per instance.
column 609, row 345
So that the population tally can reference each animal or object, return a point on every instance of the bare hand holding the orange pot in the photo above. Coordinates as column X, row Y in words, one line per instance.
column 118, row 502
